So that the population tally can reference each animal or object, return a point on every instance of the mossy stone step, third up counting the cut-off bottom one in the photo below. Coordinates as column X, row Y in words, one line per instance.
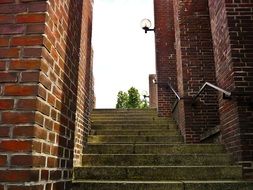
column 156, row 159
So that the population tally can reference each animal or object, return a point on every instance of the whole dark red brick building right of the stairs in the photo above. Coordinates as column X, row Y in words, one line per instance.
column 207, row 41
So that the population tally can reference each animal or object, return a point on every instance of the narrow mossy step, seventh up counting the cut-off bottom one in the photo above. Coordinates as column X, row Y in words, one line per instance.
column 128, row 126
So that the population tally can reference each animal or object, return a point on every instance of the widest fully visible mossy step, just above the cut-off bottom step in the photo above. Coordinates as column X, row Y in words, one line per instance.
column 147, row 173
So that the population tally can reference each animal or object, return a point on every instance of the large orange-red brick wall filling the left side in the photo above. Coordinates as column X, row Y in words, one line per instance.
column 41, row 83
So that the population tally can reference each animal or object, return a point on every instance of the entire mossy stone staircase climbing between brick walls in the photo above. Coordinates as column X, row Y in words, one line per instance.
column 136, row 150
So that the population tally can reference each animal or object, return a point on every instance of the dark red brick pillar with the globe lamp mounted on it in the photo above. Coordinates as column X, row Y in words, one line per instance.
column 165, row 55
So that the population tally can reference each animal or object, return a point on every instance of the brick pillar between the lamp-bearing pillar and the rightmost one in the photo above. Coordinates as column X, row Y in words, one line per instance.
column 195, row 66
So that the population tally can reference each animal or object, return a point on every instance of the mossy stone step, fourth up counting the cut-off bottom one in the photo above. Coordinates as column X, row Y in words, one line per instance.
column 153, row 148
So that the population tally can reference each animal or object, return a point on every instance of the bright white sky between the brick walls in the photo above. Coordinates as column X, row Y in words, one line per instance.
column 124, row 55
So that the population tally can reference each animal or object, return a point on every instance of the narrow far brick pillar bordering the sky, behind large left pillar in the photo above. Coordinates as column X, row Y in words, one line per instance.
column 85, row 82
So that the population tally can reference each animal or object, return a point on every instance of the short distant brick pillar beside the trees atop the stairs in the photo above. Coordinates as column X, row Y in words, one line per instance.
column 152, row 91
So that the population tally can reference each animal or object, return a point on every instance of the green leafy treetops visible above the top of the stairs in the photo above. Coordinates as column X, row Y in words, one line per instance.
column 131, row 100
